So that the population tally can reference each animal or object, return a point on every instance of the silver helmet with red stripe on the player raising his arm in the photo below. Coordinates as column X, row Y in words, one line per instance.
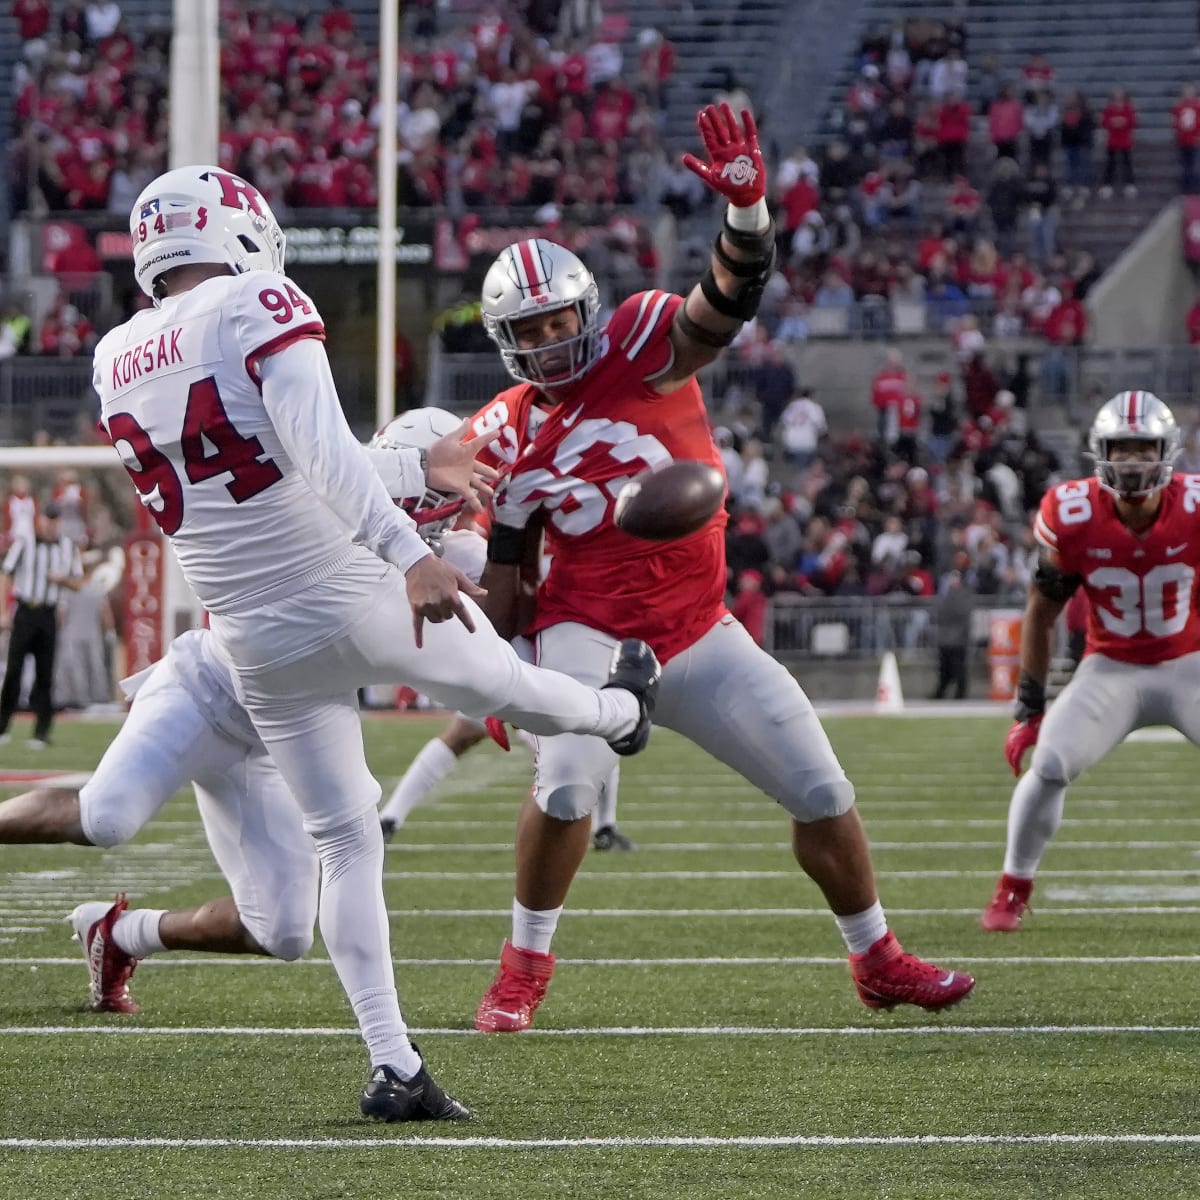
column 539, row 277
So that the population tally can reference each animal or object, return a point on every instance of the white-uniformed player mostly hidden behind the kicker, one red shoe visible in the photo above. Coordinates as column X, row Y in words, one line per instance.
column 187, row 725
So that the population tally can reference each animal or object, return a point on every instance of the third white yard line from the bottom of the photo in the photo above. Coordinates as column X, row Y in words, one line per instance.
column 254, row 961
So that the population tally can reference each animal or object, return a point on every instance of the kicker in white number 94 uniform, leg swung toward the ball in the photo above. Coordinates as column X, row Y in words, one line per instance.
column 221, row 405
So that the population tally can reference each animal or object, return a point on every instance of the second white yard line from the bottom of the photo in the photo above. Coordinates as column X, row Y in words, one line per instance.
column 614, row 1031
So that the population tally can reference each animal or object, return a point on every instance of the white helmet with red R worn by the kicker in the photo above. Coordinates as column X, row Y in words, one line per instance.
column 202, row 215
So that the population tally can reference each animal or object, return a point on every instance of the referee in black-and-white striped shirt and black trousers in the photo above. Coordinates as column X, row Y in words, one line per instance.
column 35, row 571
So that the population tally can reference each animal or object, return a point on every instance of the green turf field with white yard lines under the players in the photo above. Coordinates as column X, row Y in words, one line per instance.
column 701, row 1037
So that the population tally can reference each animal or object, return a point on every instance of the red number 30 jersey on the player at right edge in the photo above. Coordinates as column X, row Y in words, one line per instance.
column 1142, row 587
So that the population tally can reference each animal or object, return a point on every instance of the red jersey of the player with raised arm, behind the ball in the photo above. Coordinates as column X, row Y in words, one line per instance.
column 609, row 427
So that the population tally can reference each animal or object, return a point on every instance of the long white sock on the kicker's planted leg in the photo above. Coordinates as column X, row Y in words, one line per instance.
column 353, row 921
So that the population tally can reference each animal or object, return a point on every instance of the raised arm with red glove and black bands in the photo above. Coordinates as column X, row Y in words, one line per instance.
column 745, row 253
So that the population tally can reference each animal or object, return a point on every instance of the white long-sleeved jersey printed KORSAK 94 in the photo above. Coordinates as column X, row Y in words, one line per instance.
column 182, row 399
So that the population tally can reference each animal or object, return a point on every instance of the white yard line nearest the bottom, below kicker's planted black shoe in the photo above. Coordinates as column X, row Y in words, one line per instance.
column 759, row 1142
